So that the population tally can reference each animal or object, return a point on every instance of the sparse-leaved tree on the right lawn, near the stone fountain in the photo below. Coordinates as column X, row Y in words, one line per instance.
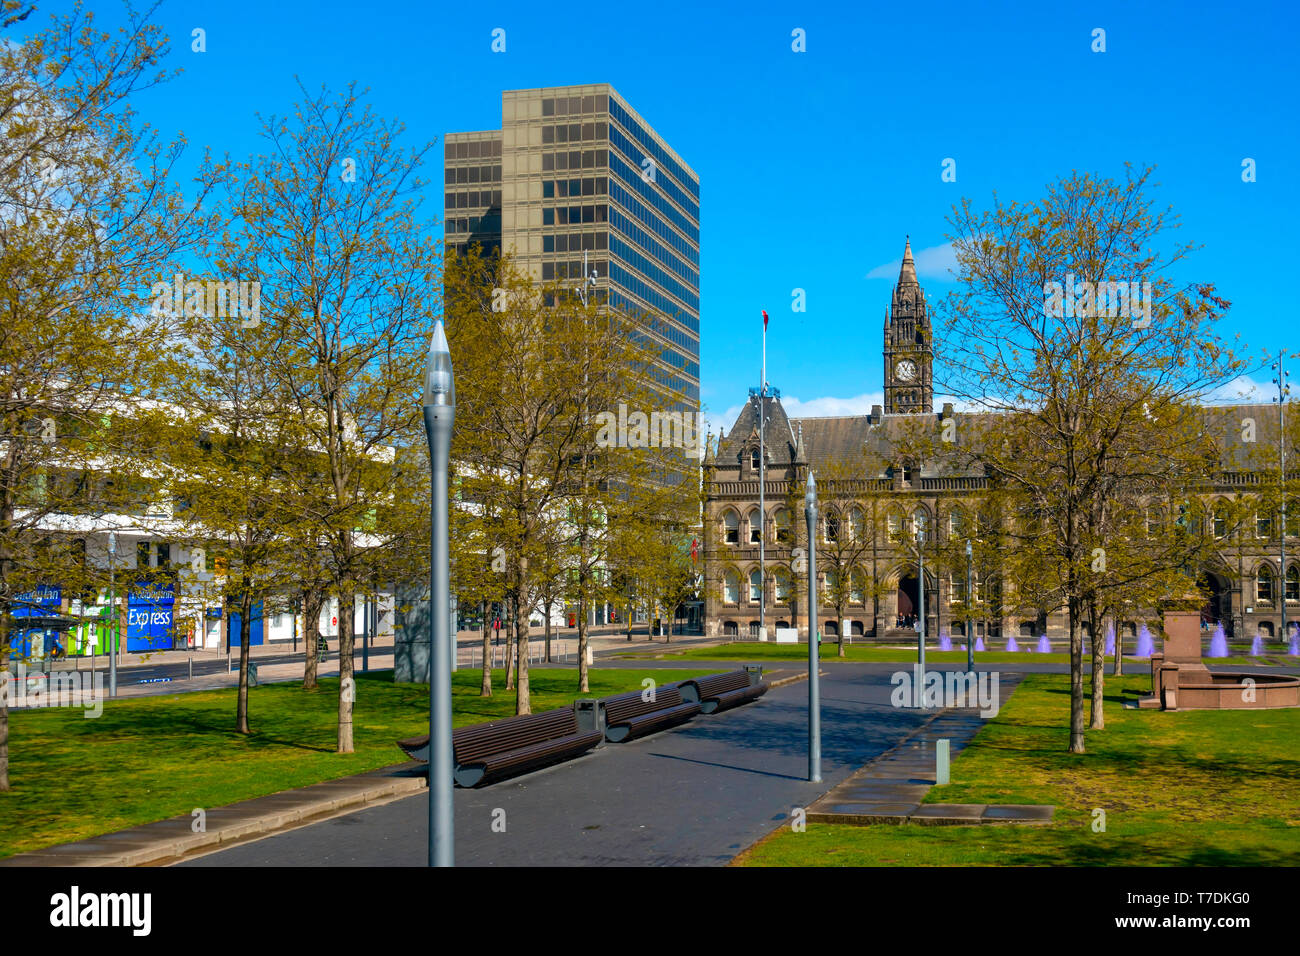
column 1068, row 380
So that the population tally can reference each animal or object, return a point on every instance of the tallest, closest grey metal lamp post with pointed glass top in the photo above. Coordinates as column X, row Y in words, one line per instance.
column 440, row 412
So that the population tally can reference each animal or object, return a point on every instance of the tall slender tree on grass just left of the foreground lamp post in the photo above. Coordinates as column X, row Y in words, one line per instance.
column 327, row 220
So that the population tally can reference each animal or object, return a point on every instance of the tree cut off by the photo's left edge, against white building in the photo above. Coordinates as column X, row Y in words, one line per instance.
column 88, row 207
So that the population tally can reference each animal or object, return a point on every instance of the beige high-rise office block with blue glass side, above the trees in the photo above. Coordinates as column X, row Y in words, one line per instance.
column 575, row 170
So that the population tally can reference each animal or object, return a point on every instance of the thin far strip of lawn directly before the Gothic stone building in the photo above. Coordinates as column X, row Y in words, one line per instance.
column 760, row 652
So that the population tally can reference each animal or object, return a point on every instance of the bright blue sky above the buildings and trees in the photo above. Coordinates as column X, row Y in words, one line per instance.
column 814, row 166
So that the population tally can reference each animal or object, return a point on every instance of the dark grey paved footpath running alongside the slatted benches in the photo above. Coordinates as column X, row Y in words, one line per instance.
column 696, row 795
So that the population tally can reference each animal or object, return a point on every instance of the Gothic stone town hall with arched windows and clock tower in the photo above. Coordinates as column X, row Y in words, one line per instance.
column 872, row 586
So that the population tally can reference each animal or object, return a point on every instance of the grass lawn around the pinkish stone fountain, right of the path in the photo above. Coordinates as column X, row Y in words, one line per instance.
column 1190, row 789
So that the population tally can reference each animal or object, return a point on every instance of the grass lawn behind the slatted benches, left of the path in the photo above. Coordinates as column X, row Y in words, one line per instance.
column 149, row 759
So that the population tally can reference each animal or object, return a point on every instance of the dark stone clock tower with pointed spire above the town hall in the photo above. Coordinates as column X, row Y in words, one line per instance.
column 909, row 354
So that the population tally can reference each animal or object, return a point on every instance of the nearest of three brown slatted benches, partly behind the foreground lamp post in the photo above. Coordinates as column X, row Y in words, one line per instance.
column 488, row 752
